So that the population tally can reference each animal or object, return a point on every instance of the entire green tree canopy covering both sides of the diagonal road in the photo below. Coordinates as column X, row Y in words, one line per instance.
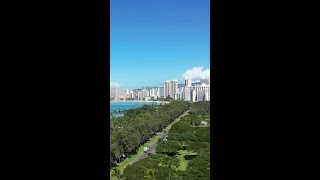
column 186, row 136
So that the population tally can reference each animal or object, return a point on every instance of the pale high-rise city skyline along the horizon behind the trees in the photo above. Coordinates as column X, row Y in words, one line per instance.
column 197, row 91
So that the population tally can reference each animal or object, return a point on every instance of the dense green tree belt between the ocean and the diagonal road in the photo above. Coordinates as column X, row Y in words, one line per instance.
column 129, row 132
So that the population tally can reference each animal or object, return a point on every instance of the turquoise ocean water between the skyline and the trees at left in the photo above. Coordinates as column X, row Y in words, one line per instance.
column 121, row 105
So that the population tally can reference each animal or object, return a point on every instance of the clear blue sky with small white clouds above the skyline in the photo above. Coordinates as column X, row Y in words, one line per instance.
column 156, row 40
